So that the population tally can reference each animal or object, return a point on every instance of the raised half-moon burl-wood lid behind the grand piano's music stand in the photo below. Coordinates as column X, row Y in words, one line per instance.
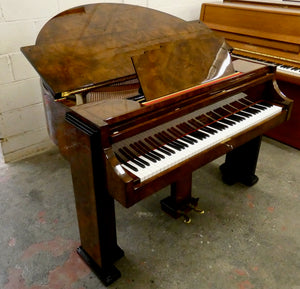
column 94, row 44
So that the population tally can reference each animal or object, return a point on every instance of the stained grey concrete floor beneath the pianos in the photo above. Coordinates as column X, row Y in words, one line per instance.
column 247, row 238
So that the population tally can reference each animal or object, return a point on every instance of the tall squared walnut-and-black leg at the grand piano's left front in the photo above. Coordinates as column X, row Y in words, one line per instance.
column 95, row 207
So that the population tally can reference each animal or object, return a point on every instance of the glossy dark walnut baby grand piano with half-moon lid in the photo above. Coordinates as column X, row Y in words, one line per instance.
column 137, row 100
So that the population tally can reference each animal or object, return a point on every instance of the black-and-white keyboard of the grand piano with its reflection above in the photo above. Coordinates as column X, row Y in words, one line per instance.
column 156, row 150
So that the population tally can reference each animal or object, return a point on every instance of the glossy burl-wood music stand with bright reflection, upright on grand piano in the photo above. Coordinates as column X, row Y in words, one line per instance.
column 182, row 64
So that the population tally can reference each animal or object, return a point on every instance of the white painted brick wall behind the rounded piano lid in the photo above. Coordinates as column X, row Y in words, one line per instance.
column 22, row 122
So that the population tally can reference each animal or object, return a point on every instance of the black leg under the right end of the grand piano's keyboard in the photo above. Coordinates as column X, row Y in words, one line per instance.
column 240, row 164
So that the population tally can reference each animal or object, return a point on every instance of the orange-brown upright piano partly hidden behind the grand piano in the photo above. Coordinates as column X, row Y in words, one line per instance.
column 269, row 32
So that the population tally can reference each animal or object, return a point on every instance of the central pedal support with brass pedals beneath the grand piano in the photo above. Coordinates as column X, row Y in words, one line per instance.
column 180, row 202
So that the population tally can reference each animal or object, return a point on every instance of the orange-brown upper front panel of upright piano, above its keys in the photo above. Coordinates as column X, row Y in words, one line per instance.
column 252, row 31
